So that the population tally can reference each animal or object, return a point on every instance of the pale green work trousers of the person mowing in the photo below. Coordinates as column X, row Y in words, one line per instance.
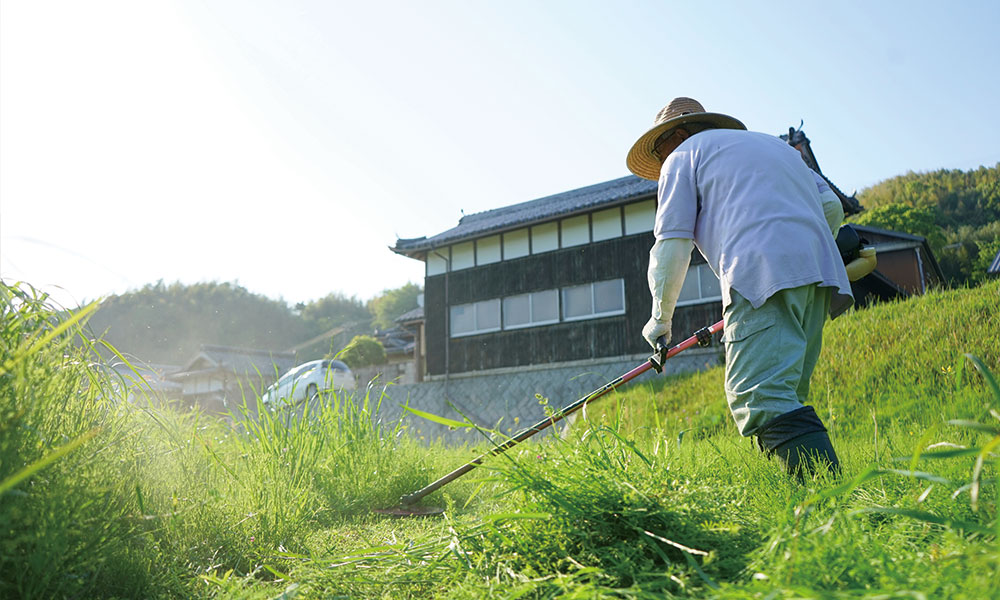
column 771, row 352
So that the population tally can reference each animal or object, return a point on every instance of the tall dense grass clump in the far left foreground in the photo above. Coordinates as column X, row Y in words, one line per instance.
column 66, row 521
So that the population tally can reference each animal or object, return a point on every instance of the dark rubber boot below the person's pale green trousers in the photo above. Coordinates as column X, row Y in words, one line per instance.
column 800, row 441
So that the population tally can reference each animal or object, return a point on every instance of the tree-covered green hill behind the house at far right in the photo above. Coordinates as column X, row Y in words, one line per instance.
column 958, row 212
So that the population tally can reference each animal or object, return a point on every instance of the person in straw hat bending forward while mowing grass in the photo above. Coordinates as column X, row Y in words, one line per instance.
column 764, row 222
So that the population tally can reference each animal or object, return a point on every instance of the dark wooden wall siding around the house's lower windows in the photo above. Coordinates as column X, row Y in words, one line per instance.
column 625, row 258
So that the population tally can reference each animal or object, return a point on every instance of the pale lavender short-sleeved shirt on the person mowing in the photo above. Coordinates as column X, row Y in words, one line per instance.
column 754, row 211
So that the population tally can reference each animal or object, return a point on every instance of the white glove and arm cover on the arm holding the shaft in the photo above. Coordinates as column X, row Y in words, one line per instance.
column 668, row 264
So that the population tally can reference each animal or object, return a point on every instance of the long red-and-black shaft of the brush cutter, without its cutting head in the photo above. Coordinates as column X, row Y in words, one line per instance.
column 654, row 362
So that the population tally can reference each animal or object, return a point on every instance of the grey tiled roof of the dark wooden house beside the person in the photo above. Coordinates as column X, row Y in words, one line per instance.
column 609, row 193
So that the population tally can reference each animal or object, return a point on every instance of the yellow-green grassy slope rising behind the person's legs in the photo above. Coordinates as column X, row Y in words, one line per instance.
column 900, row 360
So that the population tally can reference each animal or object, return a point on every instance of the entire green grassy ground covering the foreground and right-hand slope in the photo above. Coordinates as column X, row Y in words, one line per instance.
column 652, row 493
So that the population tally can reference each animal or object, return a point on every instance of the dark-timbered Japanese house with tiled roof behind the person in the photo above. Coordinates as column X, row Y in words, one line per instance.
column 563, row 278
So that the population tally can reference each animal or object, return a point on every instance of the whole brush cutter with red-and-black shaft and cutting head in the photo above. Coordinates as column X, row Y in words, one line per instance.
column 407, row 504
